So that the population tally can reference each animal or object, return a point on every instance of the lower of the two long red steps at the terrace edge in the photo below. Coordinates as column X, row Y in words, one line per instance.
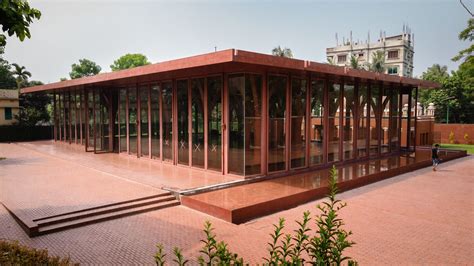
column 45, row 229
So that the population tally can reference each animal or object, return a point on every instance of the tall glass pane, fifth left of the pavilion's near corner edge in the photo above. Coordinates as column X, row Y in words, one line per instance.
column 167, row 105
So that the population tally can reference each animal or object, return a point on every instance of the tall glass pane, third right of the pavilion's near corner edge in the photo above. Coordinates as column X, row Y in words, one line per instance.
column 298, row 122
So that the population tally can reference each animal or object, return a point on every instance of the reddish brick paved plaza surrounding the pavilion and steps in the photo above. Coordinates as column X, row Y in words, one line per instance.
column 420, row 217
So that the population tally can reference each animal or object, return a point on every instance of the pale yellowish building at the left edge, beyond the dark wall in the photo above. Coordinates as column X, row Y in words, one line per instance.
column 9, row 107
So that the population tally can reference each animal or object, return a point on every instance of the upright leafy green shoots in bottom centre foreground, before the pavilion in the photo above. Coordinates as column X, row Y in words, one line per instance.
column 323, row 245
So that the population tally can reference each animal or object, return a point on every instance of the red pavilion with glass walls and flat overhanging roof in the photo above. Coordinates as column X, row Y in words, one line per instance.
column 238, row 113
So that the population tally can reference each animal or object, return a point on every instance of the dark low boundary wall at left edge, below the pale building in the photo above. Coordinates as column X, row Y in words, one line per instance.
column 25, row 133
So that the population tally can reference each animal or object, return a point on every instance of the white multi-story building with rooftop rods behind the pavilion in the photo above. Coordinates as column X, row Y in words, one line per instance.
column 398, row 50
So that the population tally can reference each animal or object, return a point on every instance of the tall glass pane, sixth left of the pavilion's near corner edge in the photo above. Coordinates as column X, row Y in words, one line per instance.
column 155, row 121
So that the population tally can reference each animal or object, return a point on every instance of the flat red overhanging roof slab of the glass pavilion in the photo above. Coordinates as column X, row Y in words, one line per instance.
column 229, row 57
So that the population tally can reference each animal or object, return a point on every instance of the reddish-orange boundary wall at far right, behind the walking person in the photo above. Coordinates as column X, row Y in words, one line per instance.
column 442, row 131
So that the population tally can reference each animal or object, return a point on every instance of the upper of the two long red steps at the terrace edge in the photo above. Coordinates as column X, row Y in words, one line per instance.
column 91, row 212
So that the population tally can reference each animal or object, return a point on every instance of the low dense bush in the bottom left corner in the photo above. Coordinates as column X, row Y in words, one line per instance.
column 13, row 253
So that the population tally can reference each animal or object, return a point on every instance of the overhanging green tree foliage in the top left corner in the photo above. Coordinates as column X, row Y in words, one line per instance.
column 15, row 18
